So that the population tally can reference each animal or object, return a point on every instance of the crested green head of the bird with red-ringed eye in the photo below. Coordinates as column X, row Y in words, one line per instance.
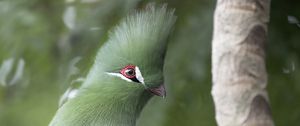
column 135, row 50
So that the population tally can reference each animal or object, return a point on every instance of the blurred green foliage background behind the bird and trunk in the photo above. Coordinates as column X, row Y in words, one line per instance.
column 46, row 44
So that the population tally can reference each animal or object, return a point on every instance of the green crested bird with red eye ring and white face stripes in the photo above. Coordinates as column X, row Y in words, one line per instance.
column 127, row 72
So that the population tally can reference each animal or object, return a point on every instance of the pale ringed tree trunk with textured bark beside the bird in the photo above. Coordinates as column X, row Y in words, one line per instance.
column 238, row 63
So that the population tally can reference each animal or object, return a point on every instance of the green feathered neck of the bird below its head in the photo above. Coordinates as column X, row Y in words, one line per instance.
column 103, row 102
